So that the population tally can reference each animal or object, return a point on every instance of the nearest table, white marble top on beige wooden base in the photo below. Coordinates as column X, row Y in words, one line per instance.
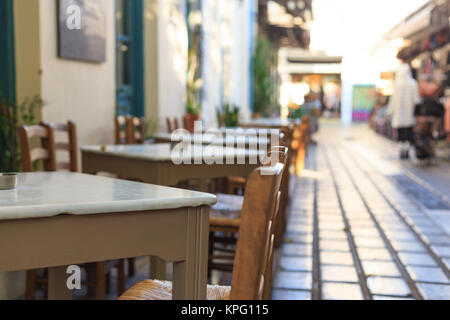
column 59, row 219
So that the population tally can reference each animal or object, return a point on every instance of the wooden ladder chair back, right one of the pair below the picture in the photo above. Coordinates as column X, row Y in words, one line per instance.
column 70, row 146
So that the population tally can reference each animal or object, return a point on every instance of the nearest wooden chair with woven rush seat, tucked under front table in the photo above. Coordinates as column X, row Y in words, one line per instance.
column 254, row 252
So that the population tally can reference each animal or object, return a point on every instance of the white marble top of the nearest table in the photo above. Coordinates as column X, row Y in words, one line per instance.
column 49, row 194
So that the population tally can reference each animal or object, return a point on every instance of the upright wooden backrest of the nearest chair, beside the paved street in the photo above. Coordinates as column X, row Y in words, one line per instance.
column 255, row 243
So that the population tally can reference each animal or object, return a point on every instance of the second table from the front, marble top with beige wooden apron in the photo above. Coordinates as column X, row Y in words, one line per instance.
column 162, row 164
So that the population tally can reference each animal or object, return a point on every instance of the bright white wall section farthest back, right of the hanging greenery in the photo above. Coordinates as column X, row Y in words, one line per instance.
column 226, row 56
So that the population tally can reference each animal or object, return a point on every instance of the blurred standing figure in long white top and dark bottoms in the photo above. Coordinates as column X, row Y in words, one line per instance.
column 401, row 108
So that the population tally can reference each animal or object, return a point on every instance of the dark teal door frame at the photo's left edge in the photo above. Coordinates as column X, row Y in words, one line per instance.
column 7, row 53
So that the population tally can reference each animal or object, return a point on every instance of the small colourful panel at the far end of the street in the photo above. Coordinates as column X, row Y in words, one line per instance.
column 364, row 101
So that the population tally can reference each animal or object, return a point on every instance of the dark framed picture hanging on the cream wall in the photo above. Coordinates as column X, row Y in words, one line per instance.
column 82, row 30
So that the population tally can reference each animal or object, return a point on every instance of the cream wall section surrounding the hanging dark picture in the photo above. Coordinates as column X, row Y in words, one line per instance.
column 79, row 91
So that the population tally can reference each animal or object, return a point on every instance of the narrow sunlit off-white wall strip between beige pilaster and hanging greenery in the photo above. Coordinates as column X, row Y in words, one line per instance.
column 172, row 59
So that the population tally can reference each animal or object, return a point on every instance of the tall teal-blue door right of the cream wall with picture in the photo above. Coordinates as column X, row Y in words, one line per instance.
column 130, row 58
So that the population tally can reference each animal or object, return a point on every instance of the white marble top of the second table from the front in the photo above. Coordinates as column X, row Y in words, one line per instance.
column 166, row 152
